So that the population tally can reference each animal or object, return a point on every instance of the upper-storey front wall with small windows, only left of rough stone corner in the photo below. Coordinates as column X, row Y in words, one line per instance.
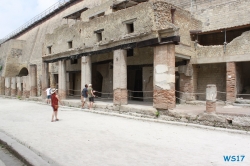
column 115, row 31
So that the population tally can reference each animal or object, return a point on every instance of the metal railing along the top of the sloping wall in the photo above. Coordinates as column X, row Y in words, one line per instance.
column 35, row 19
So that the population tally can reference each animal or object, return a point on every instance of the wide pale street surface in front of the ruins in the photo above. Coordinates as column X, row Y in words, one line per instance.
column 85, row 138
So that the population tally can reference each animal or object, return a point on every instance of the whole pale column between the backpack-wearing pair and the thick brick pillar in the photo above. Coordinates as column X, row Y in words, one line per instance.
column 120, row 77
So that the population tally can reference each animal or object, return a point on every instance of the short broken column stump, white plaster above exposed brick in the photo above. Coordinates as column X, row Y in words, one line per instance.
column 211, row 94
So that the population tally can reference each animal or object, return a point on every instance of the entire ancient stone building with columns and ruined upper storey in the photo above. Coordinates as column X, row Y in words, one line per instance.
column 155, row 51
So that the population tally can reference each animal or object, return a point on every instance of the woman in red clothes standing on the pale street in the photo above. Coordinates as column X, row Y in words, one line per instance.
column 54, row 104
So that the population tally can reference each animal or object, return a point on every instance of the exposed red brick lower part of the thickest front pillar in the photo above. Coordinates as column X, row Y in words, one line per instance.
column 164, row 99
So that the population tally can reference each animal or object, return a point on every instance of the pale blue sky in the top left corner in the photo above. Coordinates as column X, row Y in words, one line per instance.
column 15, row 13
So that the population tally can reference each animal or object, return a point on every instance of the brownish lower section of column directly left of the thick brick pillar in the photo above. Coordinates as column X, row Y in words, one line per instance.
column 120, row 97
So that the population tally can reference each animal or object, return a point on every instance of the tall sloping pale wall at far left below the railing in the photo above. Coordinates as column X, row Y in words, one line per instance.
column 33, row 41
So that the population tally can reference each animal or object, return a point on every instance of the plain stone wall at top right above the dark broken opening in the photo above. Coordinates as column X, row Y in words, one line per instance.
column 217, row 14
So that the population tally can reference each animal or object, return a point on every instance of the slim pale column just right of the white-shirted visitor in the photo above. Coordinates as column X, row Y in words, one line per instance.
column 62, row 79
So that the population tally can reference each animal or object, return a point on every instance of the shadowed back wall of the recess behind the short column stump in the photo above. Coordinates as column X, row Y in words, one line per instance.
column 211, row 74
